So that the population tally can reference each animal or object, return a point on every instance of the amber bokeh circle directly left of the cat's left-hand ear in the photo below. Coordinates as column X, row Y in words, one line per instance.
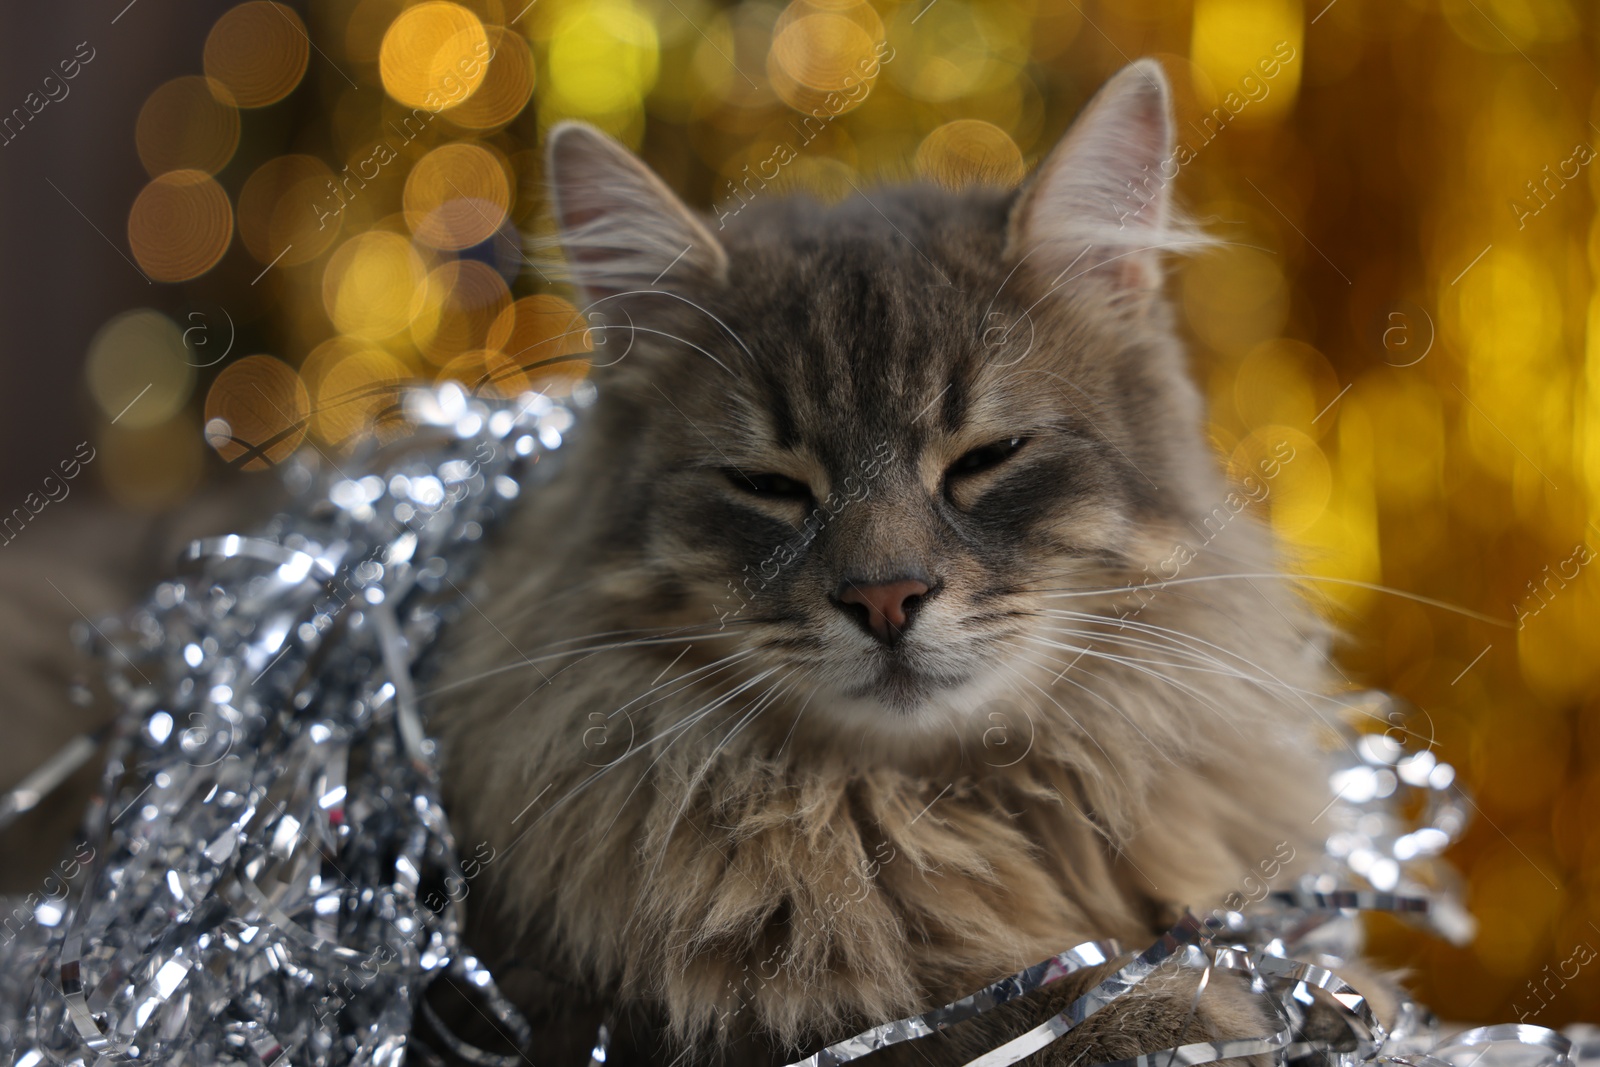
column 457, row 196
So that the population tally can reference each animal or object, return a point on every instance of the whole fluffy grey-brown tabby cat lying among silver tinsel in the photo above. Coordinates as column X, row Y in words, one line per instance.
column 860, row 650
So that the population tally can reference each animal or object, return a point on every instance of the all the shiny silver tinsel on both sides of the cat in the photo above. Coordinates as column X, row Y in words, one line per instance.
column 265, row 877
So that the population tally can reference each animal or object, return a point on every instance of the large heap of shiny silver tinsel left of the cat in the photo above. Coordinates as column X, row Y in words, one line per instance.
column 268, row 821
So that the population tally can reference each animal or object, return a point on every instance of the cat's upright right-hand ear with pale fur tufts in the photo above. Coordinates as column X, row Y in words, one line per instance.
column 1100, row 206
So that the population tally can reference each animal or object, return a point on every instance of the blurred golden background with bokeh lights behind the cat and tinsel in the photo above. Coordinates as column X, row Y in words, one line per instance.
column 230, row 231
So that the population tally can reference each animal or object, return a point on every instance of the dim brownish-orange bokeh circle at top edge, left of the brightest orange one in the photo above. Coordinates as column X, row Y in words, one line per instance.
column 260, row 52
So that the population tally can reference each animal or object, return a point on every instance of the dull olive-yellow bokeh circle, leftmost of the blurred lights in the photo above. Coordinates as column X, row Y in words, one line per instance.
column 140, row 370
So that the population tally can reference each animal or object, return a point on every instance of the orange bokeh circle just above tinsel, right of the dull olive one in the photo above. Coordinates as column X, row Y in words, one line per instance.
column 257, row 412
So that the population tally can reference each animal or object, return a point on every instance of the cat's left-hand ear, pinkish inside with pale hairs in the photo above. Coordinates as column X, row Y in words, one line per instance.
column 620, row 225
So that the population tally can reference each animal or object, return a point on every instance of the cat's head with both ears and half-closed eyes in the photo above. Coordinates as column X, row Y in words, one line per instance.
column 866, row 442
